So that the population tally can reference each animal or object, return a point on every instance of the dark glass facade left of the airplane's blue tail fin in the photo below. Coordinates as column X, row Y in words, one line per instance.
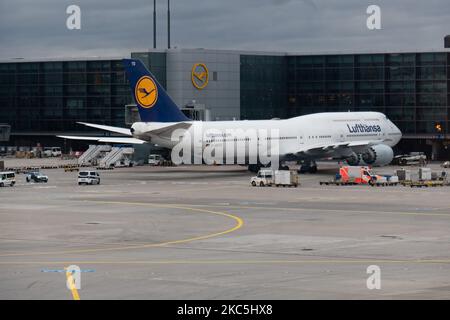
column 53, row 96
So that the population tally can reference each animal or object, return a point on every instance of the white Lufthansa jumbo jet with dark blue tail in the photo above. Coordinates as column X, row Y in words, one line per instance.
column 356, row 137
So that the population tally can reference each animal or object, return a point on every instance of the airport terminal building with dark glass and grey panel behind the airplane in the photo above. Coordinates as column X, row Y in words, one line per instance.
column 40, row 99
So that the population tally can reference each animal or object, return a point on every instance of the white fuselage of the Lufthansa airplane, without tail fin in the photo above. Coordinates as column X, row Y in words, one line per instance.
column 294, row 135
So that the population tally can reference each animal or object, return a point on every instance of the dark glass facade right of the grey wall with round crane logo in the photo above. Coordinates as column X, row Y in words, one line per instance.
column 412, row 89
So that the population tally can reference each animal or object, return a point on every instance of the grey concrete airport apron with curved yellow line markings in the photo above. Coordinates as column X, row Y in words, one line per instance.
column 204, row 233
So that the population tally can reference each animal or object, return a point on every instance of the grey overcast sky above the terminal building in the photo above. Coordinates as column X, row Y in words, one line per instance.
column 37, row 28
